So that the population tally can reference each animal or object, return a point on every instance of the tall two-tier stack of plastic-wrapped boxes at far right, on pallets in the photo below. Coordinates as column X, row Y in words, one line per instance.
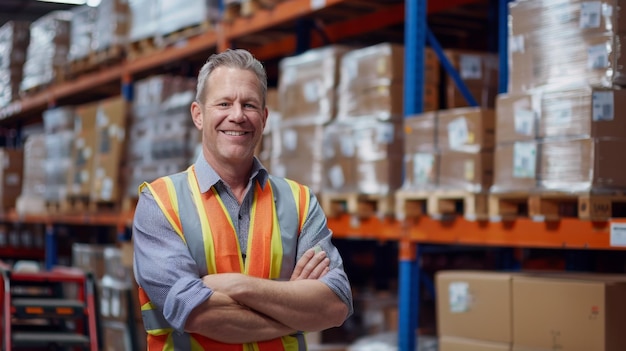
column 558, row 127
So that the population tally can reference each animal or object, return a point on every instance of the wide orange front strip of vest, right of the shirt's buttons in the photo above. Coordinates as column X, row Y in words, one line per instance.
column 260, row 236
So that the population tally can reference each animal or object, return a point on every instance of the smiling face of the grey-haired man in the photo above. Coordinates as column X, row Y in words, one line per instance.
column 232, row 118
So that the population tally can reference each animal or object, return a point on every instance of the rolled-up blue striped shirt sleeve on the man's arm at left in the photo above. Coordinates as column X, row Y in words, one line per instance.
column 163, row 266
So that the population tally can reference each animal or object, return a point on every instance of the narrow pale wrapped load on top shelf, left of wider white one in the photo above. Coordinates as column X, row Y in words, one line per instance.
column 144, row 19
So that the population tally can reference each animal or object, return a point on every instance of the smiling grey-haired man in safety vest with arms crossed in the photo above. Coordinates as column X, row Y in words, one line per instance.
column 226, row 256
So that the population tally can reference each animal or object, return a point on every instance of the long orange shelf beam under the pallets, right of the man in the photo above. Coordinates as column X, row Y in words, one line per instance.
column 568, row 233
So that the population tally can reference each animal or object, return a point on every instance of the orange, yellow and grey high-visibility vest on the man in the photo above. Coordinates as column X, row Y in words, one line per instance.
column 214, row 246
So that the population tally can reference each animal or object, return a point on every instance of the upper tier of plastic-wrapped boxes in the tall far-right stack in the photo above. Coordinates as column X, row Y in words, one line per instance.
column 588, row 36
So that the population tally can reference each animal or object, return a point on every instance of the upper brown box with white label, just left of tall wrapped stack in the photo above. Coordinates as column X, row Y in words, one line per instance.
column 469, row 129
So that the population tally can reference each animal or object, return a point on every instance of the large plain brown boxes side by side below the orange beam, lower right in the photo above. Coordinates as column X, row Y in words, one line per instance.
column 524, row 311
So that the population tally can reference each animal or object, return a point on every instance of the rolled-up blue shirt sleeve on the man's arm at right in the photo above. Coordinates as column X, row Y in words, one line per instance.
column 316, row 232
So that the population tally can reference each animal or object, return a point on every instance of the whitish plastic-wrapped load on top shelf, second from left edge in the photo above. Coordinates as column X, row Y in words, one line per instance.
column 47, row 50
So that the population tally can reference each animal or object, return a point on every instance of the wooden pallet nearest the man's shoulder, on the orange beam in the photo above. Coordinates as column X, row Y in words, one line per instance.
column 359, row 205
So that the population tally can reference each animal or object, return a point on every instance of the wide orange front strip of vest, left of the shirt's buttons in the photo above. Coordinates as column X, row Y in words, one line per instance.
column 227, row 252
